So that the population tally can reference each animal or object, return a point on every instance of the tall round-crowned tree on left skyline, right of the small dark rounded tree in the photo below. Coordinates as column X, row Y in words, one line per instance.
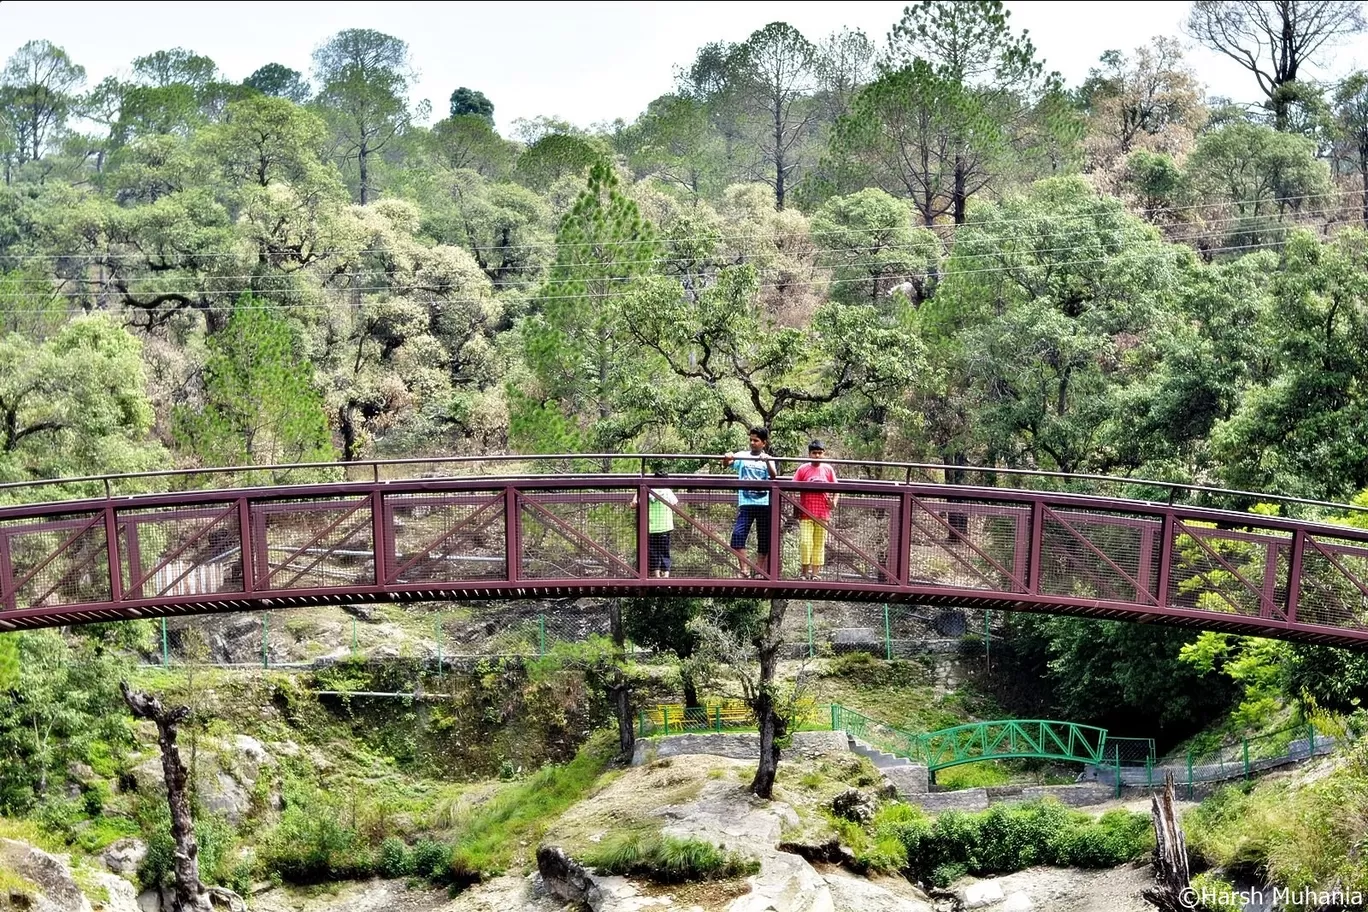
column 365, row 79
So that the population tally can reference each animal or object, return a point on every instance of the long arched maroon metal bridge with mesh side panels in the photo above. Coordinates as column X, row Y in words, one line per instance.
column 527, row 535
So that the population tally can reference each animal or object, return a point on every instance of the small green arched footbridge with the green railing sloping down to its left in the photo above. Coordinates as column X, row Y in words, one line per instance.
column 1001, row 740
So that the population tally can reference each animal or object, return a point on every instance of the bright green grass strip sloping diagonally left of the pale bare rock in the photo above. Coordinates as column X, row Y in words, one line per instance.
column 518, row 816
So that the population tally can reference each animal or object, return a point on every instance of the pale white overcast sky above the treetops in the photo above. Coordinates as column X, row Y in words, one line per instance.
column 583, row 62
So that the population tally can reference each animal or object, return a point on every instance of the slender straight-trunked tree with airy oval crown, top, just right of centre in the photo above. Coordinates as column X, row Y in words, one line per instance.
column 775, row 73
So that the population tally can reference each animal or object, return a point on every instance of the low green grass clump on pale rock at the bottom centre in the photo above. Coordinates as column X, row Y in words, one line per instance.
column 667, row 859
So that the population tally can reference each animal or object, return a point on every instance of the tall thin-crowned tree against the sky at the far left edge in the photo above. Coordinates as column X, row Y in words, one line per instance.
column 39, row 90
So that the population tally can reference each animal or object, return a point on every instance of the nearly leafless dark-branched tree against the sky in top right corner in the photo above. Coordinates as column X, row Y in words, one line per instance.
column 1274, row 39
